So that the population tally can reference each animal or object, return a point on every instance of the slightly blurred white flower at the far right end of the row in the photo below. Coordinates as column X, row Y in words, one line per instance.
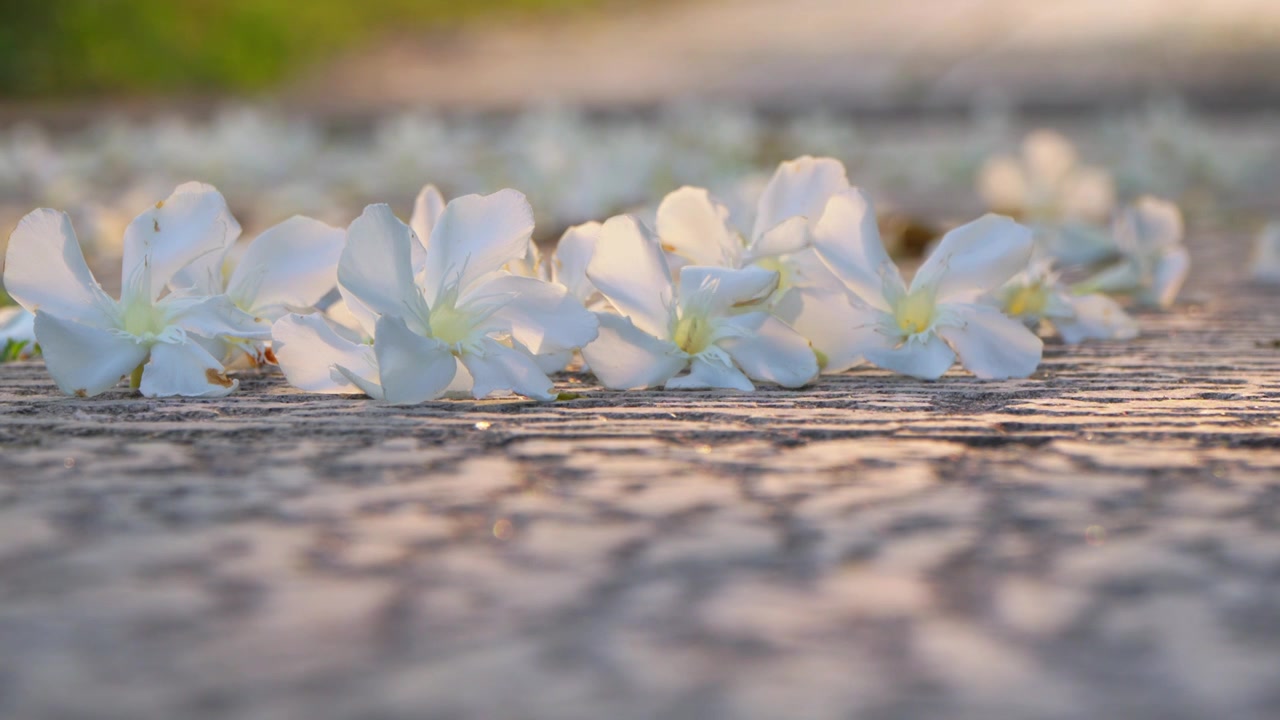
column 1154, row 262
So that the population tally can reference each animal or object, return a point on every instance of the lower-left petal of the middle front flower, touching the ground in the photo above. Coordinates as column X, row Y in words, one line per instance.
column 627, row 358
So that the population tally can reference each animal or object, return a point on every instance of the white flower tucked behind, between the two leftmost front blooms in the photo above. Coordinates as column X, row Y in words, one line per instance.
column 289, row 268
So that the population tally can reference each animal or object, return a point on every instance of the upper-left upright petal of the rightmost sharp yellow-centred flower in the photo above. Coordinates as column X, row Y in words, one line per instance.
column 848, row 240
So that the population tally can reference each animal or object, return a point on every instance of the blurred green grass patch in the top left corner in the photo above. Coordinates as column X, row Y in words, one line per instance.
column 52, row 48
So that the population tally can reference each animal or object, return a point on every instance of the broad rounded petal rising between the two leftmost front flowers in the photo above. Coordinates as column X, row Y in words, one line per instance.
column 290, row 266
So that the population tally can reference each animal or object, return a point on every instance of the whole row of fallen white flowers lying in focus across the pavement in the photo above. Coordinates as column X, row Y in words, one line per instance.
column 460, row 302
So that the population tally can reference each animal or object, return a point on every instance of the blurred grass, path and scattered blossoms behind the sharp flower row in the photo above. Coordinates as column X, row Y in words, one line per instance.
column 596, row 107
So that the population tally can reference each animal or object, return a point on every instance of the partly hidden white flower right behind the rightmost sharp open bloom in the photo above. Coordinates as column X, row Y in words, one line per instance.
column 1037, row 298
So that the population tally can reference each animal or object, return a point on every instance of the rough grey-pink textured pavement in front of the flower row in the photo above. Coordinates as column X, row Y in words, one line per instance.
column 1099, row 541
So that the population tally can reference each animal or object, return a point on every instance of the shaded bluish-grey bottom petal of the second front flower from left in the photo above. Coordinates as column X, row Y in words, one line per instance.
column 413, row 368
